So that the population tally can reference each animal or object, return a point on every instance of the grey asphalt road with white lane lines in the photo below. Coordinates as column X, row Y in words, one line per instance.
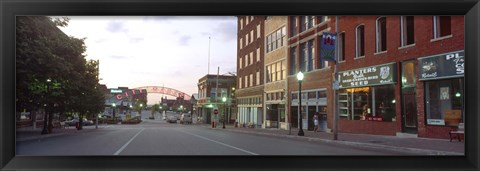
column 156, row 137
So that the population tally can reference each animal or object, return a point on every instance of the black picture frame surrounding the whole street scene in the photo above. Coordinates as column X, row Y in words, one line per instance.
column 9, row 9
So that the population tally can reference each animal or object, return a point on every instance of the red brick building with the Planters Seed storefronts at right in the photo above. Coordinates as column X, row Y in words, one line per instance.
column 400, row 74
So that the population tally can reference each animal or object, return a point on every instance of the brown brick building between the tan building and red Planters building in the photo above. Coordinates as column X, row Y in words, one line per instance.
column 304, row 34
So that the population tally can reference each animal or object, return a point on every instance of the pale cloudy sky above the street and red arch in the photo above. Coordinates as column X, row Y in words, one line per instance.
column 170, row 51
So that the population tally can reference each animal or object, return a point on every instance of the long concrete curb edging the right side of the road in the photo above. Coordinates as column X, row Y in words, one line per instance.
column 359, row 144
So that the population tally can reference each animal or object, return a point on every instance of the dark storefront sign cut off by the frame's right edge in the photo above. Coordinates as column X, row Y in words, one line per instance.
column 442, row 66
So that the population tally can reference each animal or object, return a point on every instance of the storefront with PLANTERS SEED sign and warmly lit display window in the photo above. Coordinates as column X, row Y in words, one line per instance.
column 367, row 101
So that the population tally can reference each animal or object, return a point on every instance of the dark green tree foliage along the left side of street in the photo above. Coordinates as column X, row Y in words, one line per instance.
column 44, row 52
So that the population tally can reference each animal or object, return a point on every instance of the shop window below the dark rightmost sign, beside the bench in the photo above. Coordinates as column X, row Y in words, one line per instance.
column 444, row 102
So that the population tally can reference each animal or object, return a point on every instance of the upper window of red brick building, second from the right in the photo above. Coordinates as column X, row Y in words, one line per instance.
column 407, row 33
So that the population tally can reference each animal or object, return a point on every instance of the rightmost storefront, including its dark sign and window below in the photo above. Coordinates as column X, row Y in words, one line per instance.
column 443, row 79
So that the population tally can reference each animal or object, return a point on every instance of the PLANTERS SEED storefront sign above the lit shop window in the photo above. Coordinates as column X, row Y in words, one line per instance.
column 374, row 75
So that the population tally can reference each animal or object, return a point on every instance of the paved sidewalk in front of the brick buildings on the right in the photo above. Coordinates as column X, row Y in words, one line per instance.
column 420, row 146
